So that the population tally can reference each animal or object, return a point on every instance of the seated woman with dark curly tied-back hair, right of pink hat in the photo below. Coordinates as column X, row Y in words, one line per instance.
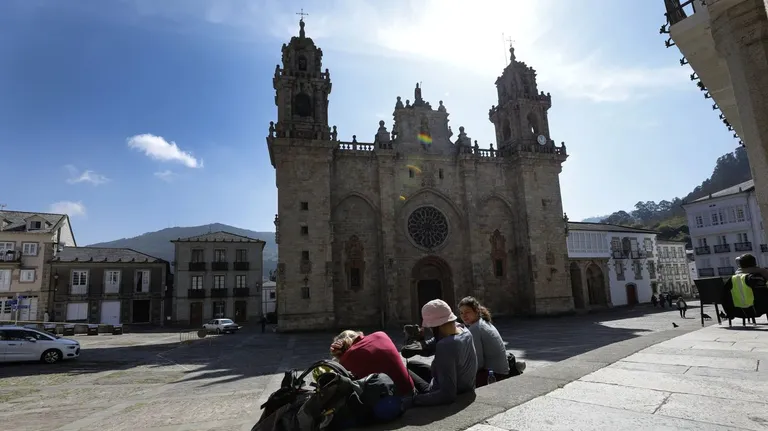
column 490, row 348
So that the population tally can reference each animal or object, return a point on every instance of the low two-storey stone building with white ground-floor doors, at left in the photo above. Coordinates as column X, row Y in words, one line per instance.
column 110, row 286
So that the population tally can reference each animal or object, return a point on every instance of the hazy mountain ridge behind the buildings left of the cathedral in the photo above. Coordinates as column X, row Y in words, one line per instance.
column 159, row 244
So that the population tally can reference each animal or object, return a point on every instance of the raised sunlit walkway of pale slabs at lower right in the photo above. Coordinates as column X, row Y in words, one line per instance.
column 714, row 378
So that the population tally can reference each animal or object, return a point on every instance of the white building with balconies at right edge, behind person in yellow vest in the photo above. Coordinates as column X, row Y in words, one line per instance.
column 723, row 226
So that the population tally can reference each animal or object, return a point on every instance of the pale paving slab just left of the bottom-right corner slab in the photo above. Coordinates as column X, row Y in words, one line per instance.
column 619, row 397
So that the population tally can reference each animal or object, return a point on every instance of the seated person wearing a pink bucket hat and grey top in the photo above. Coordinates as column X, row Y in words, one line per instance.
column 454, row 364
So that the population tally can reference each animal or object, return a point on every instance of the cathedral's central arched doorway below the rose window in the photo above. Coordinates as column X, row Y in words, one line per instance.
column 431, row 279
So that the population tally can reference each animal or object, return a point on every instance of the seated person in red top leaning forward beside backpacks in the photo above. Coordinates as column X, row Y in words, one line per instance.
column 363, row 355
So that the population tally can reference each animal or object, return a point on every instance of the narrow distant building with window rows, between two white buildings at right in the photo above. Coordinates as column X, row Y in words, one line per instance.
column 672, row 267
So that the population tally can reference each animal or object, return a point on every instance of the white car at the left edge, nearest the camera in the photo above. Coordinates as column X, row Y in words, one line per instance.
column 25, row 344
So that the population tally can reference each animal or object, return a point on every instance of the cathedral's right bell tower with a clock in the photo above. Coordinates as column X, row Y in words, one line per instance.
column 535, row 163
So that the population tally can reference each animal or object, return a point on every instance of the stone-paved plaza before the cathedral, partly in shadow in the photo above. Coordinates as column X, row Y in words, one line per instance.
column 149, row 381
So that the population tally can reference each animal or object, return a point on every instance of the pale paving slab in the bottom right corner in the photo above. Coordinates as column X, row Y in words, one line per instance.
column 727, row 412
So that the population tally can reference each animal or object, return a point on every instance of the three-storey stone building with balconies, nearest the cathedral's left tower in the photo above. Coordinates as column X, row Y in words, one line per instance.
column 217, row 274
